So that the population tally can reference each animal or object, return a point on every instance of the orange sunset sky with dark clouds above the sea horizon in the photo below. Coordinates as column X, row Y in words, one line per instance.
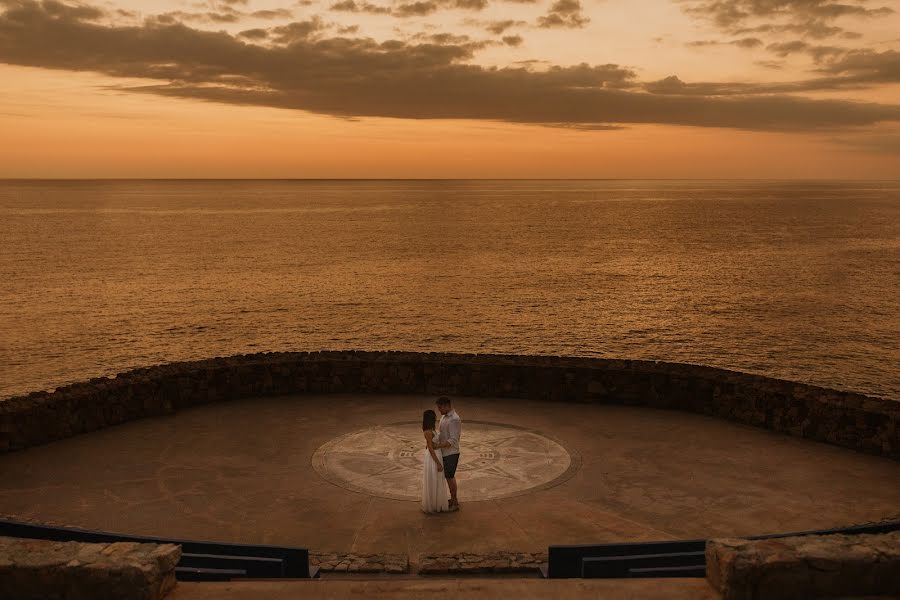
column 450, row 88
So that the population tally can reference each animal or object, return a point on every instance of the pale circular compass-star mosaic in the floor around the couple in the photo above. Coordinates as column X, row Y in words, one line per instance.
column 496, row 461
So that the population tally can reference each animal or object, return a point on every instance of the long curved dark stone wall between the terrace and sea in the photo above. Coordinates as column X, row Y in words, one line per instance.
column 846, row 419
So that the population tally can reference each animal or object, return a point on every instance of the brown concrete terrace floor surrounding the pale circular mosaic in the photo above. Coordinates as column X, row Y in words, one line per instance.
column 241, row 471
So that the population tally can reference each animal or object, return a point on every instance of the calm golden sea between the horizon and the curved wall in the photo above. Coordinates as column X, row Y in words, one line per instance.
column 792, row 280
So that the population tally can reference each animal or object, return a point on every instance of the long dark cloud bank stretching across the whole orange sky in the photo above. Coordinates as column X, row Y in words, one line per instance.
column 345, row 77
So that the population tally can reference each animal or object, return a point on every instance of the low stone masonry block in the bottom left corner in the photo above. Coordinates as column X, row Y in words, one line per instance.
column 43, row 570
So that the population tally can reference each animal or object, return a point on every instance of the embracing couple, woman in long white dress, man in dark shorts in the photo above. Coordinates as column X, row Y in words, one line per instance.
column 441, row 457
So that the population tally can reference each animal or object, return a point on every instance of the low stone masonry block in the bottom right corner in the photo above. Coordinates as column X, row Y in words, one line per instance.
column 797, row 568
